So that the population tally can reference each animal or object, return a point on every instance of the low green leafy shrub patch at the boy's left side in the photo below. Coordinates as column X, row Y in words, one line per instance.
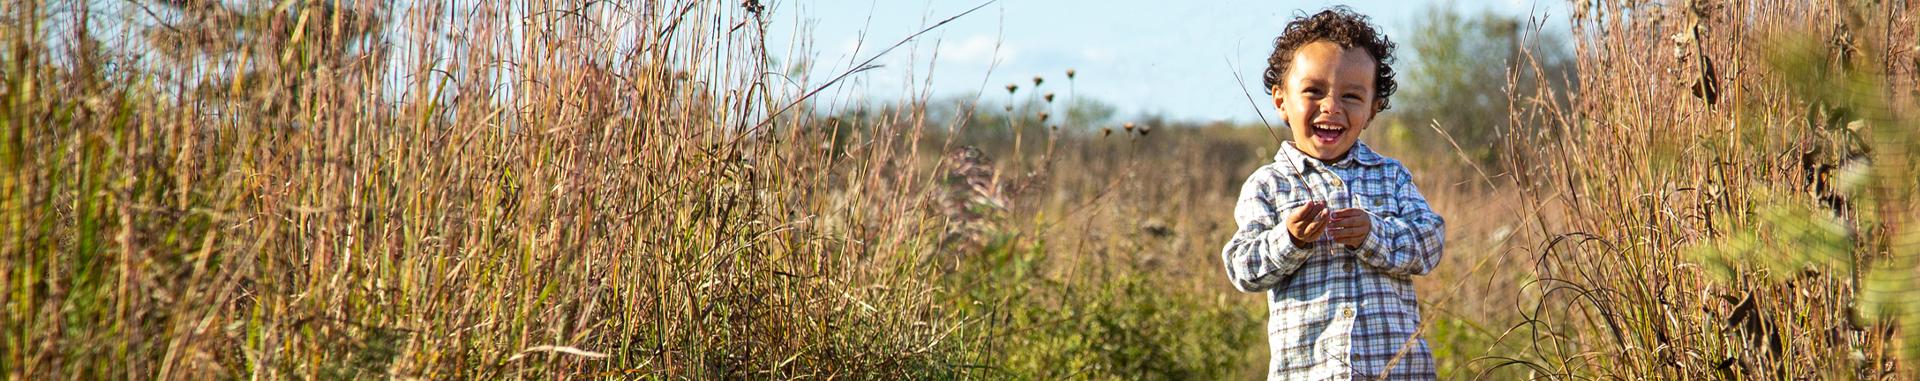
column 1113, row 322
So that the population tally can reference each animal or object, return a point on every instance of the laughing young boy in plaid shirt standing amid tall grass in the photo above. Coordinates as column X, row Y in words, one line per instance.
column 1333, row 232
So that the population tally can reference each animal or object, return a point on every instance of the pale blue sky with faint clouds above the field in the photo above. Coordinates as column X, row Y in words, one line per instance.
column 1143, row 57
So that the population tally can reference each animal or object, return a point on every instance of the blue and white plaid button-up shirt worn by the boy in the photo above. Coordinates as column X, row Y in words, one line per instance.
column 1337, row 313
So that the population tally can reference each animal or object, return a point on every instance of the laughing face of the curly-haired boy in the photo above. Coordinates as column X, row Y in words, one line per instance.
column 1328, row 99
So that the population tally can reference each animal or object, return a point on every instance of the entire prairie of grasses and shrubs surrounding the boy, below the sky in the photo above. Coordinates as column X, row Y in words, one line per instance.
column 556, row 190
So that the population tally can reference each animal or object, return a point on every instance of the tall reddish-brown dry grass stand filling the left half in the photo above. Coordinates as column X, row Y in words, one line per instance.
column 506, row 190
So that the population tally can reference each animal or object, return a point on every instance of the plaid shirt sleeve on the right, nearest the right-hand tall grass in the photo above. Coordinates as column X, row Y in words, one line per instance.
column 1412, row 240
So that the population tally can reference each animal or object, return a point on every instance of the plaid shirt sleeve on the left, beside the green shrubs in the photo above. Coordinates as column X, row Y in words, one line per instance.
column 1260, row 257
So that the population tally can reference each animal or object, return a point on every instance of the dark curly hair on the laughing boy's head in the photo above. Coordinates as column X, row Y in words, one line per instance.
column 1341, row 26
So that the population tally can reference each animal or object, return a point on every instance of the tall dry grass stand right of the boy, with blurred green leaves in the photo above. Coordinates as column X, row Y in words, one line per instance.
column 1735, row 182
